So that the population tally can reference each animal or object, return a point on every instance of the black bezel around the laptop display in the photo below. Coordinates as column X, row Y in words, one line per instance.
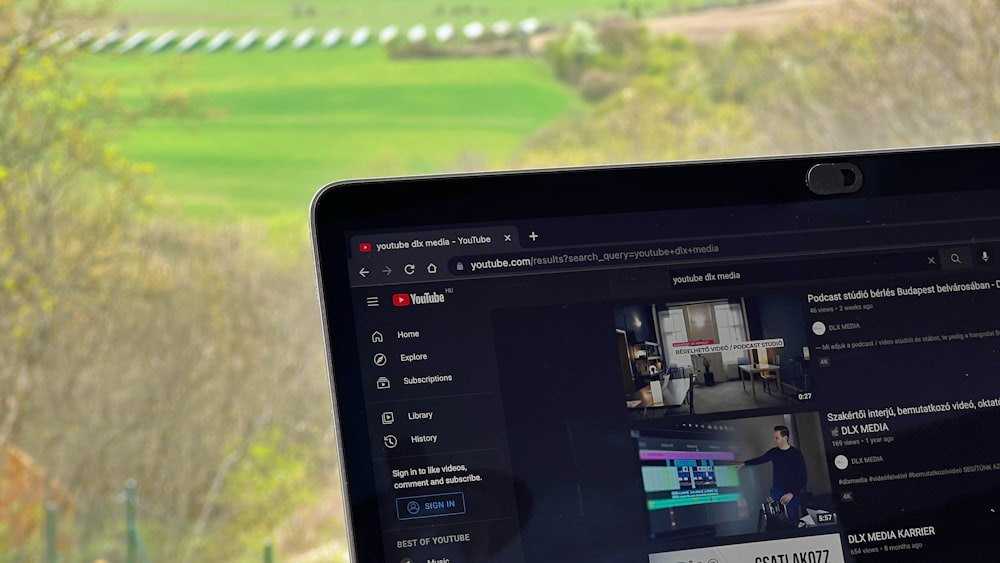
column 413, row 203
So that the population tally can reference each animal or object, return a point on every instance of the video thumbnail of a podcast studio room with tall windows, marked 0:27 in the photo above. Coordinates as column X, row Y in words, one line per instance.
column 712, row 356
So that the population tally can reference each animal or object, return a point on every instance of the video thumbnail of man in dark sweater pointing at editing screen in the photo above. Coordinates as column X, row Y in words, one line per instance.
column 761, row 475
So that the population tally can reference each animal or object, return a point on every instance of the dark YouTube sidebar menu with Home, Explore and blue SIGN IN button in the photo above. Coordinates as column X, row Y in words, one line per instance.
column 436, row 424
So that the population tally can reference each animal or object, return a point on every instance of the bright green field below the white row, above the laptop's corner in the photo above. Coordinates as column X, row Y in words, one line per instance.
column 269, row 129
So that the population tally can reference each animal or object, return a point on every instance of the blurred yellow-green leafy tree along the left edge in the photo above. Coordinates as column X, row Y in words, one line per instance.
column 66, row 198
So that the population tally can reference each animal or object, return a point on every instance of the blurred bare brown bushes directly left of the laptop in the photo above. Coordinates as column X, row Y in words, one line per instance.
column 208, row 349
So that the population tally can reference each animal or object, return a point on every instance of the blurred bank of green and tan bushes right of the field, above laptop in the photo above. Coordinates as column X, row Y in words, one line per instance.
column 879, row 75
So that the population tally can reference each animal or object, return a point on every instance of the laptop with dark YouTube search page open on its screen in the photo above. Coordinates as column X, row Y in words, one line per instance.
column 768, row 360
